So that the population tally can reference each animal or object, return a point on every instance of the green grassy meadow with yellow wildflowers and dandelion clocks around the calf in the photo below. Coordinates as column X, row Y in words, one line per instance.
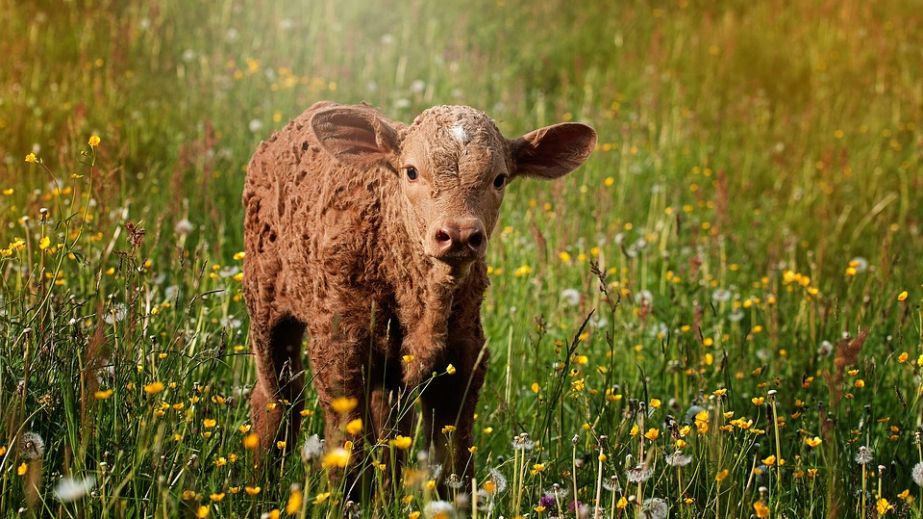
column 719, row 315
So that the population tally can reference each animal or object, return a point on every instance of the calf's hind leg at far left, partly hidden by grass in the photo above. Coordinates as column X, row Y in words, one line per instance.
column 280, row 379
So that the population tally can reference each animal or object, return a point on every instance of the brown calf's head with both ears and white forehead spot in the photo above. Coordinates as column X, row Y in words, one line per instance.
column 453, row 165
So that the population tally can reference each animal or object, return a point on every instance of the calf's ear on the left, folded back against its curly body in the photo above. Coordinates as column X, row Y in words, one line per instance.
column 356, row 136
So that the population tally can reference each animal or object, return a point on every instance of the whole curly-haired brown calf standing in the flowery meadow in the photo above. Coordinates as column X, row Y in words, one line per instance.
column 375, row 265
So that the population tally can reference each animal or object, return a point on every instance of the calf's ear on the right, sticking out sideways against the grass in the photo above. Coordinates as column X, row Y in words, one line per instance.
column 552, row 151
